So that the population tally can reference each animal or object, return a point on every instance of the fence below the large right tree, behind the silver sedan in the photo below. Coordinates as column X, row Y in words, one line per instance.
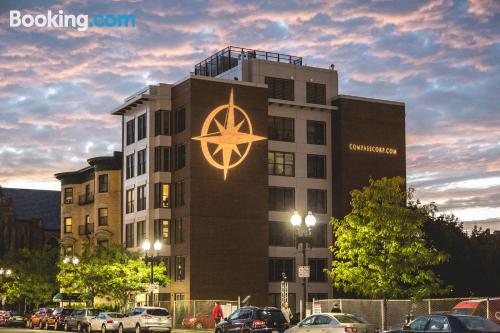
column 399, row 312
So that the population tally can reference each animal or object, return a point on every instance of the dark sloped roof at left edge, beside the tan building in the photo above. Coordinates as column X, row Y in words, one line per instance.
column 36, row 204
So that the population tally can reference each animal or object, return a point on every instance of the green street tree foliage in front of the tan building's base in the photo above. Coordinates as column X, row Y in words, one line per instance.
column 109, row 271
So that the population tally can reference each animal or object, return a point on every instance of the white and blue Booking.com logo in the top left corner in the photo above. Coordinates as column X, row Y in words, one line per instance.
column 60, row 20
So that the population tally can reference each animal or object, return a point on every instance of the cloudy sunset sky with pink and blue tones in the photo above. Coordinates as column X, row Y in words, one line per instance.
column 442, row 57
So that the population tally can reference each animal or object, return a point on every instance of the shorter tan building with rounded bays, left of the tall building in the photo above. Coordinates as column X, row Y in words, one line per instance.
column 91, row 204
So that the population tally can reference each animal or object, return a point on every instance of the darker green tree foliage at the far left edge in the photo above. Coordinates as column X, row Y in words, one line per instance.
column 33, row 278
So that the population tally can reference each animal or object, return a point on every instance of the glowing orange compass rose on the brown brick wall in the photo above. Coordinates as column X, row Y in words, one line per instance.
column 227, row 136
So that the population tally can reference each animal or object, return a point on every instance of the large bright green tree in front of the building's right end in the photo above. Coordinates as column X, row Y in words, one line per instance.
column 380, row 249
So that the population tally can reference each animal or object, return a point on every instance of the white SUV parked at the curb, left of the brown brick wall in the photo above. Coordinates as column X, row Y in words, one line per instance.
column 147, row 318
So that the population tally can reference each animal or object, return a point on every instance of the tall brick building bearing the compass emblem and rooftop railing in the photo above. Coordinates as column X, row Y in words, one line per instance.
column 216, row 164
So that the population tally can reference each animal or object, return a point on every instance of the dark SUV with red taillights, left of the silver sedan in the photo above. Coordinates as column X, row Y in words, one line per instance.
column 253, row 320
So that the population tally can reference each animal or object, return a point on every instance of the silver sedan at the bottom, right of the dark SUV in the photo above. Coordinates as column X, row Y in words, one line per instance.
column 333, row 323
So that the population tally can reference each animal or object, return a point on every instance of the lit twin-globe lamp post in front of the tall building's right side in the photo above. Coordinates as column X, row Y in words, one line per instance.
column 303, row 237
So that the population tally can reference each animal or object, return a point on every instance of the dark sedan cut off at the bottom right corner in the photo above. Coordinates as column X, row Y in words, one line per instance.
column 450, row 323
